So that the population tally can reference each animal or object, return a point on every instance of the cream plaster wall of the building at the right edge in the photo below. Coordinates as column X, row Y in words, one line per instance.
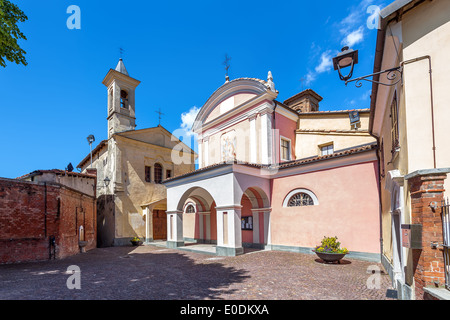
column 416, row 35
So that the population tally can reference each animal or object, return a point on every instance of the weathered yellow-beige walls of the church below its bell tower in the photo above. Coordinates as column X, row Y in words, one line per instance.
column 123, row 161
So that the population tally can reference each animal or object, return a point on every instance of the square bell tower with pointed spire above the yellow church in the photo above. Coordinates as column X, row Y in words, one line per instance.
column 121, row 99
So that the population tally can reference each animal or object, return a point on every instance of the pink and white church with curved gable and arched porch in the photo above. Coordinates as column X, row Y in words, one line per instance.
column 276, row 175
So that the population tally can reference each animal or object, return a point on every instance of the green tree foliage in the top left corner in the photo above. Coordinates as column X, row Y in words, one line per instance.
column 10, row 15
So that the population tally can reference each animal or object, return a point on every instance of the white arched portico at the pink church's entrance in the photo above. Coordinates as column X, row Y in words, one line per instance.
column 220, row 189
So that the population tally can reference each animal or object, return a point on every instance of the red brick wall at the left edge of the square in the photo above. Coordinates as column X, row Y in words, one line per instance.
column 30, row 213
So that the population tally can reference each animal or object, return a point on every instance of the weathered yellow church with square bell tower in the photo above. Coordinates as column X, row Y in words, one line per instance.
column 131, row 165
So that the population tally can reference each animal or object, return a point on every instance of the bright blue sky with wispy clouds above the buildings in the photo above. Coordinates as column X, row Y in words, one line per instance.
column 176, row 50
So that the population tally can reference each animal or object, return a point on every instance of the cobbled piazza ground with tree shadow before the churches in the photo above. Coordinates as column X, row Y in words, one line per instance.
column 154, row 273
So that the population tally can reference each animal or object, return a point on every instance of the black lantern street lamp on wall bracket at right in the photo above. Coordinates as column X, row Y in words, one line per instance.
column 349, row 58
